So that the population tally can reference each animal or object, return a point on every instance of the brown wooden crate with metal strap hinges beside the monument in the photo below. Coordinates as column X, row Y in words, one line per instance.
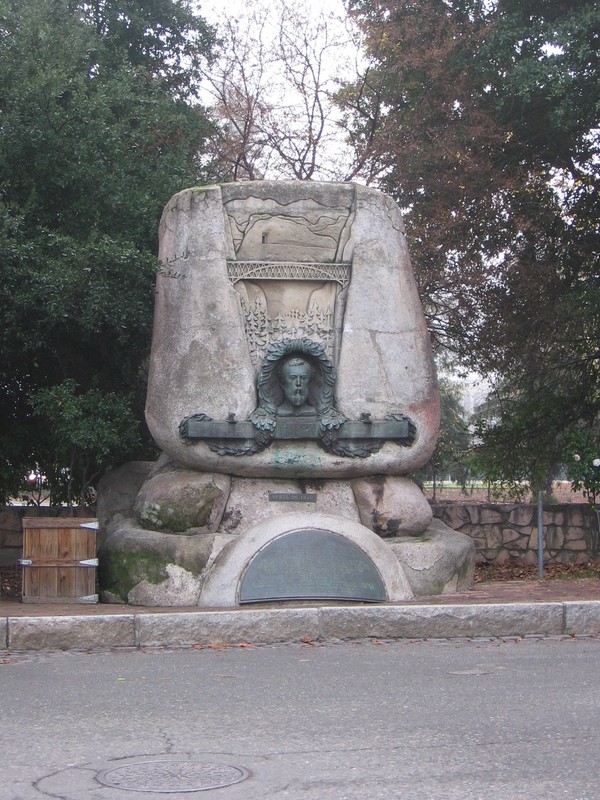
column 59, row 560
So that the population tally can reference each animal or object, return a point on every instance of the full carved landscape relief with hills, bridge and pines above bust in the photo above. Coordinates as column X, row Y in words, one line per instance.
column 288, row 273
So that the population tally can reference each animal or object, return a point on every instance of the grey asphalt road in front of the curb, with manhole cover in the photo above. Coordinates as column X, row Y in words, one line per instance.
column 515, row 720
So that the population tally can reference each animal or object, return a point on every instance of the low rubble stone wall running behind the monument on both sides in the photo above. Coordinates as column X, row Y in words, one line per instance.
column 500, row 532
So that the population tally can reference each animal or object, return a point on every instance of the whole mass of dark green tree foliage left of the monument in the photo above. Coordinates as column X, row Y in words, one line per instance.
column 97, row 133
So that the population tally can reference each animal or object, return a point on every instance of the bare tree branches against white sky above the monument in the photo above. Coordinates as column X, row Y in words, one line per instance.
column 273, row 91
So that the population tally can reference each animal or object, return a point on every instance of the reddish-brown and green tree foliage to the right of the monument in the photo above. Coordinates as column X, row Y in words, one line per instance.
column 481, row 119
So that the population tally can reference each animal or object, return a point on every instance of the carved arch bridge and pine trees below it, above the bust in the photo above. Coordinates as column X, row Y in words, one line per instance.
column 283, row 300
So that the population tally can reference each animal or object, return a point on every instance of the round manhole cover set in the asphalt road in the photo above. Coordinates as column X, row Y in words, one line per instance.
column 171, row 776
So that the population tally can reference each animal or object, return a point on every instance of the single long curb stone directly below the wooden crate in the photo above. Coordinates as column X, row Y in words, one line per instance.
column 70, row 633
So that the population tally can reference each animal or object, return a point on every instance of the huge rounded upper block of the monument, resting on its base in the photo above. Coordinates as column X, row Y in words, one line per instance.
column 266, row 263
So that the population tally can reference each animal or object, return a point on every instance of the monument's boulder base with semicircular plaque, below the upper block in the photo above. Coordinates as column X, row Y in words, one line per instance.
column 260, row 540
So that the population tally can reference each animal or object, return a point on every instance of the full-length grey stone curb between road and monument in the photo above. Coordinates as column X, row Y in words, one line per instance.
column 275, row 625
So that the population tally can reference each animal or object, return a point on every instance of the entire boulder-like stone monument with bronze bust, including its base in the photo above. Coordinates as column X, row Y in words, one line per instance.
column 291, row 390
